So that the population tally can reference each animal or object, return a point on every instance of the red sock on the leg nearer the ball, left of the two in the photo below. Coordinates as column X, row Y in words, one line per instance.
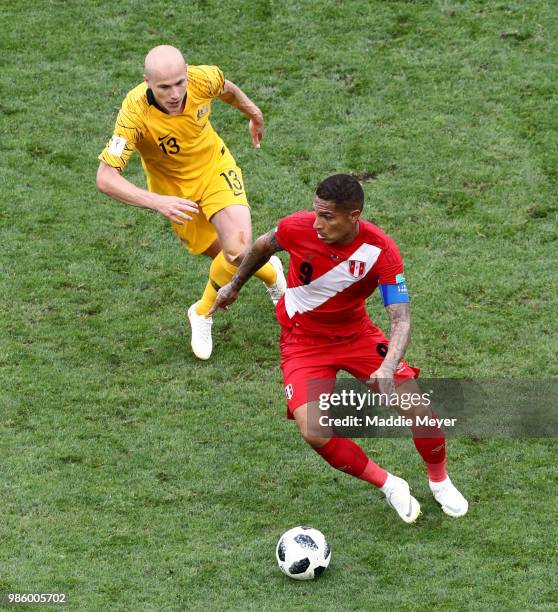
column 343, row 454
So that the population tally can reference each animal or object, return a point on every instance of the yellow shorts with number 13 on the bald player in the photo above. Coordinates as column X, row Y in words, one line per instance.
column 219, row 187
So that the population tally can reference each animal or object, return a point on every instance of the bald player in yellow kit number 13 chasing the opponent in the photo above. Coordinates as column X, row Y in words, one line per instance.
column 192, row 178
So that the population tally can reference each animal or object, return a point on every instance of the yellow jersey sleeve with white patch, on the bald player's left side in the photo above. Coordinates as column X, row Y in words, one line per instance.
column 128, row 131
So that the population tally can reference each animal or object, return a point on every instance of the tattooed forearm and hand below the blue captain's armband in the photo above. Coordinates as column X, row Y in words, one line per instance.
column 400, row 334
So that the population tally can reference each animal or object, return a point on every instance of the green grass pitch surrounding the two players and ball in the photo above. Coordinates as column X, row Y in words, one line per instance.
column 132, row 476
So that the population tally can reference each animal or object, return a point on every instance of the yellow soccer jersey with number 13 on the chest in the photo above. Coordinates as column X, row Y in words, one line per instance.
column 173, row 148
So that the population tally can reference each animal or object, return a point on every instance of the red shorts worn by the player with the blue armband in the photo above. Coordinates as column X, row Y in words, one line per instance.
column 310, row 364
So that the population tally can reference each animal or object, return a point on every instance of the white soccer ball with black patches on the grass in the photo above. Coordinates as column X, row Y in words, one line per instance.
column 303, row 553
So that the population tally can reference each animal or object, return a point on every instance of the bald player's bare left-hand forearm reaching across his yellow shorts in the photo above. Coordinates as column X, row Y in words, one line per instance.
column 113, row 184
